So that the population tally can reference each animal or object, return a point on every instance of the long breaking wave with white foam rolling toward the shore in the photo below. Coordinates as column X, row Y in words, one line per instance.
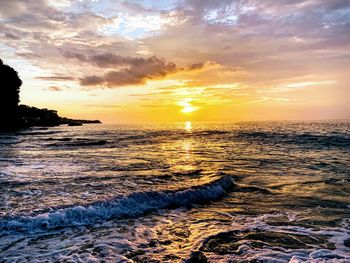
column 133, row 205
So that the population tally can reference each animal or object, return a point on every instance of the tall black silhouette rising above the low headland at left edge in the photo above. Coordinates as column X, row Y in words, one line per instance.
column 9, row 97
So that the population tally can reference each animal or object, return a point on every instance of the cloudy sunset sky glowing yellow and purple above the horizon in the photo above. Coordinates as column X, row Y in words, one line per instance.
column 130, row 61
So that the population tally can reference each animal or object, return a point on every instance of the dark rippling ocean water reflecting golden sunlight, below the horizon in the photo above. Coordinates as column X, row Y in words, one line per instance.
column 244, row 192
